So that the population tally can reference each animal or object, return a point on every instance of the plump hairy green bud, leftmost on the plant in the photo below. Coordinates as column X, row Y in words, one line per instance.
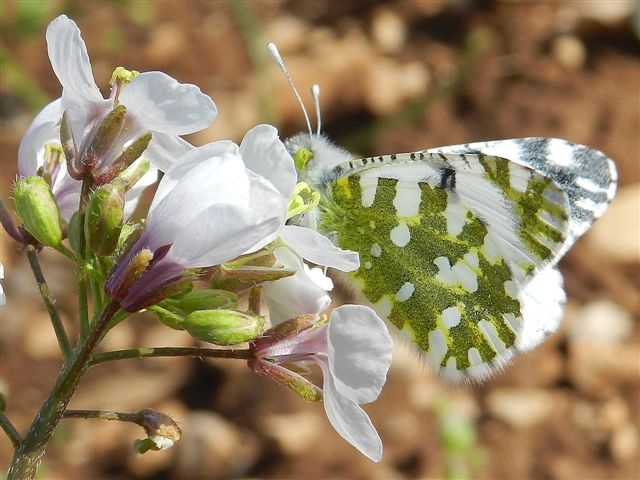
column 38, row 210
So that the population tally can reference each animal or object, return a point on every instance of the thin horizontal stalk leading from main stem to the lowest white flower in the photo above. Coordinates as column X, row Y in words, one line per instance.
column 102, row 357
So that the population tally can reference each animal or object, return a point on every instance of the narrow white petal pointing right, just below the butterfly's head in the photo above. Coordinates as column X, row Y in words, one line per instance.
column 318, row 249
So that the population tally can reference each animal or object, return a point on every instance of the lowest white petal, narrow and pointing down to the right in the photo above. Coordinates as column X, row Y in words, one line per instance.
column 350, row 421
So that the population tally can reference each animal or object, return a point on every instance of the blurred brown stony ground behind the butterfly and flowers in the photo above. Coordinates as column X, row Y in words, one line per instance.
column 395, row 76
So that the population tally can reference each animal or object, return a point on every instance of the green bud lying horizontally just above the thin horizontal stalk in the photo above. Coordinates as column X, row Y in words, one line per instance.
column 224, row 327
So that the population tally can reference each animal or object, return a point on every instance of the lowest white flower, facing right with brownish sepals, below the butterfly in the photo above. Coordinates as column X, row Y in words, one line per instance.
column 354, row 352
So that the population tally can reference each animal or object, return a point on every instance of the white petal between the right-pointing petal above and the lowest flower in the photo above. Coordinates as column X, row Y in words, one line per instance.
column 295, row 295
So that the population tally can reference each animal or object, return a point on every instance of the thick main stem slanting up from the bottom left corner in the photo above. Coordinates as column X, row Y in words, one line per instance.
column 28, row 455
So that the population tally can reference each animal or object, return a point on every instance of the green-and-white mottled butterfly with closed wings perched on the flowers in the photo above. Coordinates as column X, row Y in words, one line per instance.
column 459, row 245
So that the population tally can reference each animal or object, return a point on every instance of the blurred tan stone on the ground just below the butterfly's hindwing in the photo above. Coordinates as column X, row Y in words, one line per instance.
column 521, row 408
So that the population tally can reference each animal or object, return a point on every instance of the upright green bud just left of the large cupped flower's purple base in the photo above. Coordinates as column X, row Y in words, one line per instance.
column 104, row 218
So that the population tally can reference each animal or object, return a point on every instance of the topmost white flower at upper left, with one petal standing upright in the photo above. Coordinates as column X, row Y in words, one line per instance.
column 154, row 103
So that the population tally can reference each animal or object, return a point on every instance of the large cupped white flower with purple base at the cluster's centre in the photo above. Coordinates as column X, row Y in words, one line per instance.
column 207, row 210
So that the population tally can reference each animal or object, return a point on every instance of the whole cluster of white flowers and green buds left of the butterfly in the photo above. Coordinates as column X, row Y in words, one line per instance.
column 217, row 254
